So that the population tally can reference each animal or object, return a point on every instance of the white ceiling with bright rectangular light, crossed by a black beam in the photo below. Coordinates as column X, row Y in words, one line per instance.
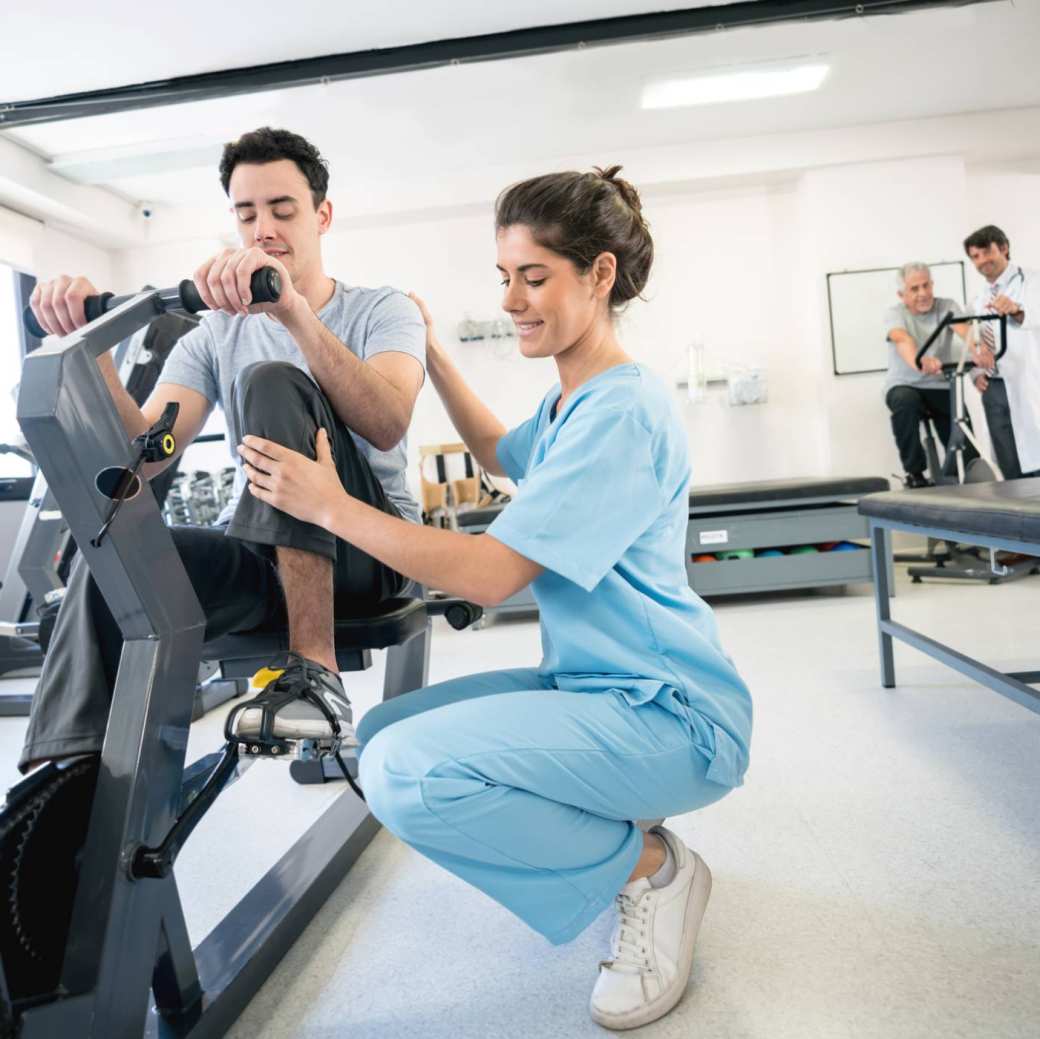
column 528, row 113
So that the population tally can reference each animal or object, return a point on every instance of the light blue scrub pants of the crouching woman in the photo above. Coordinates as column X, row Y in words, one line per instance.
column 529, row 793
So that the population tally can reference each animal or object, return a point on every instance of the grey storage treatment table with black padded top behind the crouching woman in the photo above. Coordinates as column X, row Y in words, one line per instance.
column 778, row 514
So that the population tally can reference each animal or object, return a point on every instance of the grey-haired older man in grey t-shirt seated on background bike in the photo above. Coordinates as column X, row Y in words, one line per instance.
column 912, row 394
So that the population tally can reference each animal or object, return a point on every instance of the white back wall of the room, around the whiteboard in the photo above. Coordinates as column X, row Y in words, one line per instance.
column 741, row 269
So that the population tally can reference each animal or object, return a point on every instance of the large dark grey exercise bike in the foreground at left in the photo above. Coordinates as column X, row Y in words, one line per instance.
column 95, row 943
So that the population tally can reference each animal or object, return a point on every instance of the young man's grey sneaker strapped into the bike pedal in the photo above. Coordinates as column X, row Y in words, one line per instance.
column 294, row 696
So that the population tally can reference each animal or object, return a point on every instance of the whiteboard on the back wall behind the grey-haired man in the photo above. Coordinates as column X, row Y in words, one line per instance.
column 859, row 301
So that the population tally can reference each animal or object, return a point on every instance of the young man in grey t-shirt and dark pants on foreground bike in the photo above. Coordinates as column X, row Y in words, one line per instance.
column 348, row 360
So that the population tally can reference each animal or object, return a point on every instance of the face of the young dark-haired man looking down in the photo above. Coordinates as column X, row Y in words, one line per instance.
column 275, row 211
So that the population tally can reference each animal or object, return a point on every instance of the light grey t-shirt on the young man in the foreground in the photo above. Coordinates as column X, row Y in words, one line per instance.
column 368, row 322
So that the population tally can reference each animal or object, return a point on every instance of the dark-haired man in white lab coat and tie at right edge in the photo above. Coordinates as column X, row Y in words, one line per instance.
column 1010, row 388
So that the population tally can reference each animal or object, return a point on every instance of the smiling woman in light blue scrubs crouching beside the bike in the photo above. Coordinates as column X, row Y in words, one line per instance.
column 528, row 784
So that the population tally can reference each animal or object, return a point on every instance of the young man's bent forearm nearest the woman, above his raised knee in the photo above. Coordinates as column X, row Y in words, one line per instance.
column 362, row 399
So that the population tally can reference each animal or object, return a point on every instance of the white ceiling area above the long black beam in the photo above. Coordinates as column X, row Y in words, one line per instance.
column 65, row 46
